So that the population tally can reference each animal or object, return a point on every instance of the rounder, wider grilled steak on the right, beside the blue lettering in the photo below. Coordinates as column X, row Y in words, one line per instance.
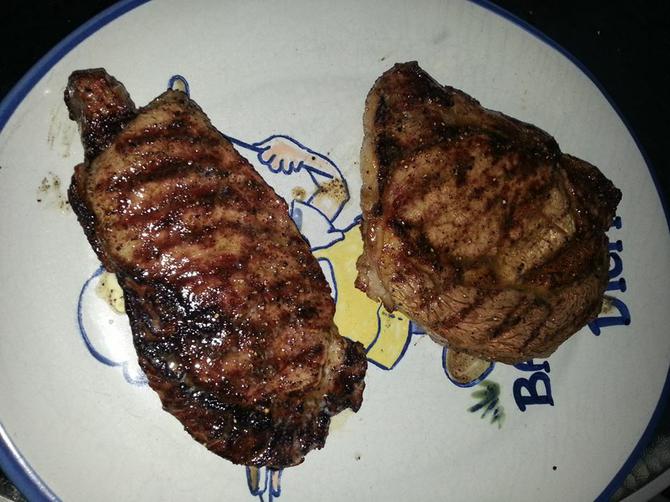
column 475, row 224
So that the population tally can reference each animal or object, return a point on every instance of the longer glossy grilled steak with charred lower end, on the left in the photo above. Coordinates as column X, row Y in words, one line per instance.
column 231, row 315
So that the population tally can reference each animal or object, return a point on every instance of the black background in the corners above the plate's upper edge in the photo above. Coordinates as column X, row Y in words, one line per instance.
column 626, row 45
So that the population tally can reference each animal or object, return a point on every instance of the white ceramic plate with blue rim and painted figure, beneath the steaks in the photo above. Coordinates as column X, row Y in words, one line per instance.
column 77, row 421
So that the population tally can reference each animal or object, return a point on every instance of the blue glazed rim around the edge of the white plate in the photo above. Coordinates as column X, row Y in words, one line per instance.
column 17, row 467
